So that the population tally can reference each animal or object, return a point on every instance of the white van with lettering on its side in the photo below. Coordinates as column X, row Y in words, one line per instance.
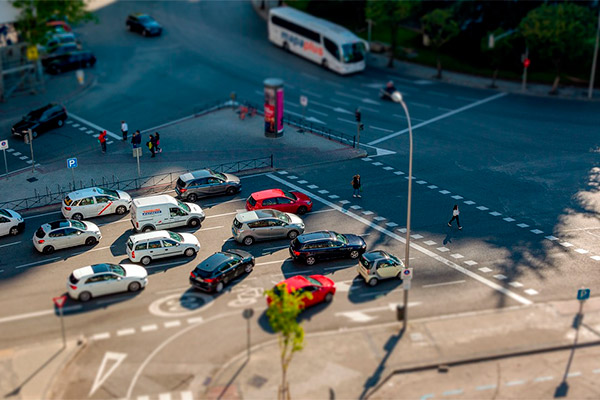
column 162, row 212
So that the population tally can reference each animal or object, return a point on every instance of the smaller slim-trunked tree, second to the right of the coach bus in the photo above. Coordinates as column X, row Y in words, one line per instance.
column 439, row 27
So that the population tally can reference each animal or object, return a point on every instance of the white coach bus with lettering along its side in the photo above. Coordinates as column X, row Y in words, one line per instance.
column 320, row 41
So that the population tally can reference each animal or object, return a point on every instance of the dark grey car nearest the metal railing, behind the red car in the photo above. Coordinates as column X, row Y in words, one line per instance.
column 205, row 182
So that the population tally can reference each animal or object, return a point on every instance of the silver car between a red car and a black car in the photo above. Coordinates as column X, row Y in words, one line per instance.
column 265, row 224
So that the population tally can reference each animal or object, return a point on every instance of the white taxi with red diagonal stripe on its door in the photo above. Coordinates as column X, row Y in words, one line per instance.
column 94, row 202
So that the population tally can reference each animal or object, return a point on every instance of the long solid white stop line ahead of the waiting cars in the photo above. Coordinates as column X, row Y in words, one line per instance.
column 417, row 247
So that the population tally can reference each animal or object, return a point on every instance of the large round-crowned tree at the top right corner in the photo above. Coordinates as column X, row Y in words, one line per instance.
column 557, row 32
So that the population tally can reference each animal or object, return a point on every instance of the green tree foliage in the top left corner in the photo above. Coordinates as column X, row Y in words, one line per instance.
column 31, row 23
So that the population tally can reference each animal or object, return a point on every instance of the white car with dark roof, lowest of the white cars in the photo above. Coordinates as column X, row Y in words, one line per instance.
column 102, row 279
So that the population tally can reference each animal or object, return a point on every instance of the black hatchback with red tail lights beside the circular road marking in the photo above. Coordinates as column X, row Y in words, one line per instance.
column 216, row 271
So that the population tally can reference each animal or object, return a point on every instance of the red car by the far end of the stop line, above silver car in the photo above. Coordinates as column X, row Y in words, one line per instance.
column 282, row 200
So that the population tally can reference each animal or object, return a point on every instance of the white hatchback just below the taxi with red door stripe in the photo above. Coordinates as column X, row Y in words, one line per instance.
column 65, row 233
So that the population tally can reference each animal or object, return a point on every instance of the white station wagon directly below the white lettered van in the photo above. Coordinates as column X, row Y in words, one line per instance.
column 149, row 246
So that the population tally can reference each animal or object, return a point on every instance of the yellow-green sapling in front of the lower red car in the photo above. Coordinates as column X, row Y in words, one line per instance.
column 283, row 318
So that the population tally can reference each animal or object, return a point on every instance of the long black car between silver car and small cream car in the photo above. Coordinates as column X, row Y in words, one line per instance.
column 311, row 247
